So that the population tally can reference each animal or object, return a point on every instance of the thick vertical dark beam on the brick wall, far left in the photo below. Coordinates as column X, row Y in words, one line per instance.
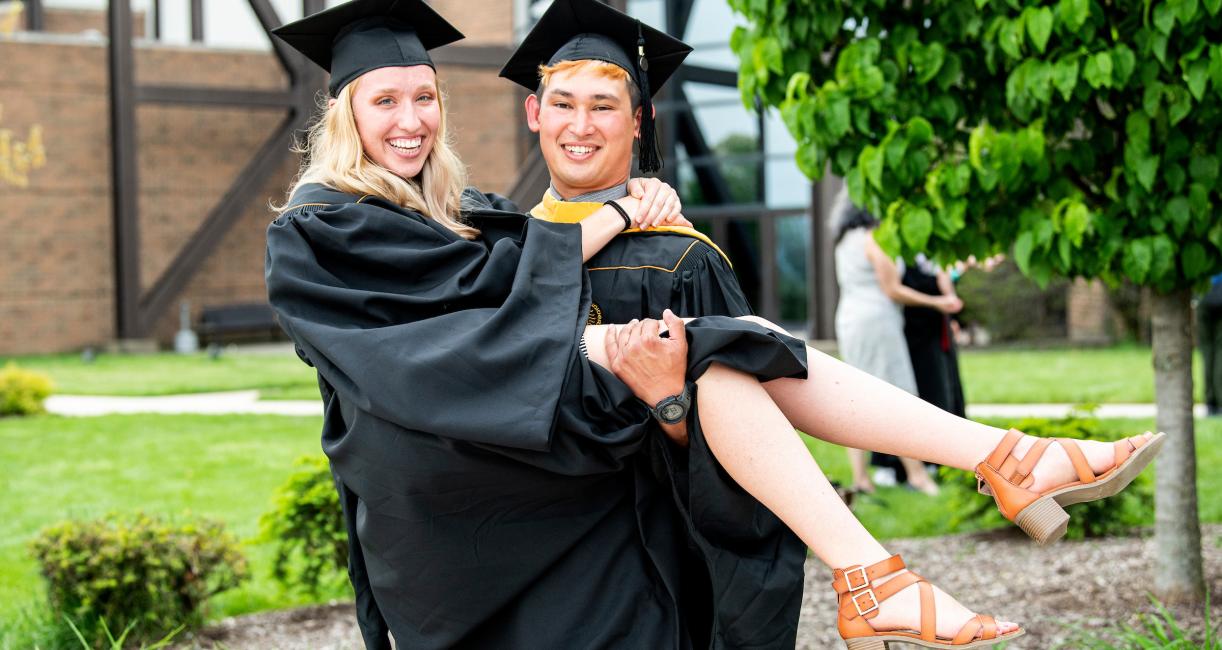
column 123, row 134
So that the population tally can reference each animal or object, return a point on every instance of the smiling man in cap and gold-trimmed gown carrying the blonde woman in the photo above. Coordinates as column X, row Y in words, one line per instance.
column 593, row 71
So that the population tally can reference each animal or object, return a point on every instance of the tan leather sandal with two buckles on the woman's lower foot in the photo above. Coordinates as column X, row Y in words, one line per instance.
column 860, row 601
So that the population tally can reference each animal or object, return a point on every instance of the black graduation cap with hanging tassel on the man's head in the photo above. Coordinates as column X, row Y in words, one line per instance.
column 584, row 30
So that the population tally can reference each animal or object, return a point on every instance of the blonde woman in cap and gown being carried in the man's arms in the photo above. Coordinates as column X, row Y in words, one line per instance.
column 502, row 488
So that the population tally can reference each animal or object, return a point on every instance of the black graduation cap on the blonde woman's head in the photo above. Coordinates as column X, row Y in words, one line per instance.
column 354, row 38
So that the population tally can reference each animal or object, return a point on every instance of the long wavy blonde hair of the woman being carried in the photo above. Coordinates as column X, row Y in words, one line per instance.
column 335, row 158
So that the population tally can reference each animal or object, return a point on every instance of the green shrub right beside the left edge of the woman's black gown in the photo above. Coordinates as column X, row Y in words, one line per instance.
column 307, row 528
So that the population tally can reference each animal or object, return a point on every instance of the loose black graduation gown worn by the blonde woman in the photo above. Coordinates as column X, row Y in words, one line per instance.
column 502, row 492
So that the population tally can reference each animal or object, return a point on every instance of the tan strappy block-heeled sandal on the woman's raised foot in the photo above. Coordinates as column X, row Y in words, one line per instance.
column 1042, row 516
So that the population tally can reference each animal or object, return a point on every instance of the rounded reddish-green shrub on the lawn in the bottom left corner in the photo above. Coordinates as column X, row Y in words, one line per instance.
column 137, row 575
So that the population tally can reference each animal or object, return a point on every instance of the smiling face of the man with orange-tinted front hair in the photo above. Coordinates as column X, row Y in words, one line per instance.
column 586, row 124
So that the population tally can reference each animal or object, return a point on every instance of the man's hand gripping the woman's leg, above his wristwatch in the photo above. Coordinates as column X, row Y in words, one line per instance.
column 653, row 367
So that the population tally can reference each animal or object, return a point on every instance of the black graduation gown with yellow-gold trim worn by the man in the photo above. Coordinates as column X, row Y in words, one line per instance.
column 637, row 276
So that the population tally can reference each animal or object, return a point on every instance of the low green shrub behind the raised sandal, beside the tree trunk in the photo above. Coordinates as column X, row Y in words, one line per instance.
column 1115, row 516
